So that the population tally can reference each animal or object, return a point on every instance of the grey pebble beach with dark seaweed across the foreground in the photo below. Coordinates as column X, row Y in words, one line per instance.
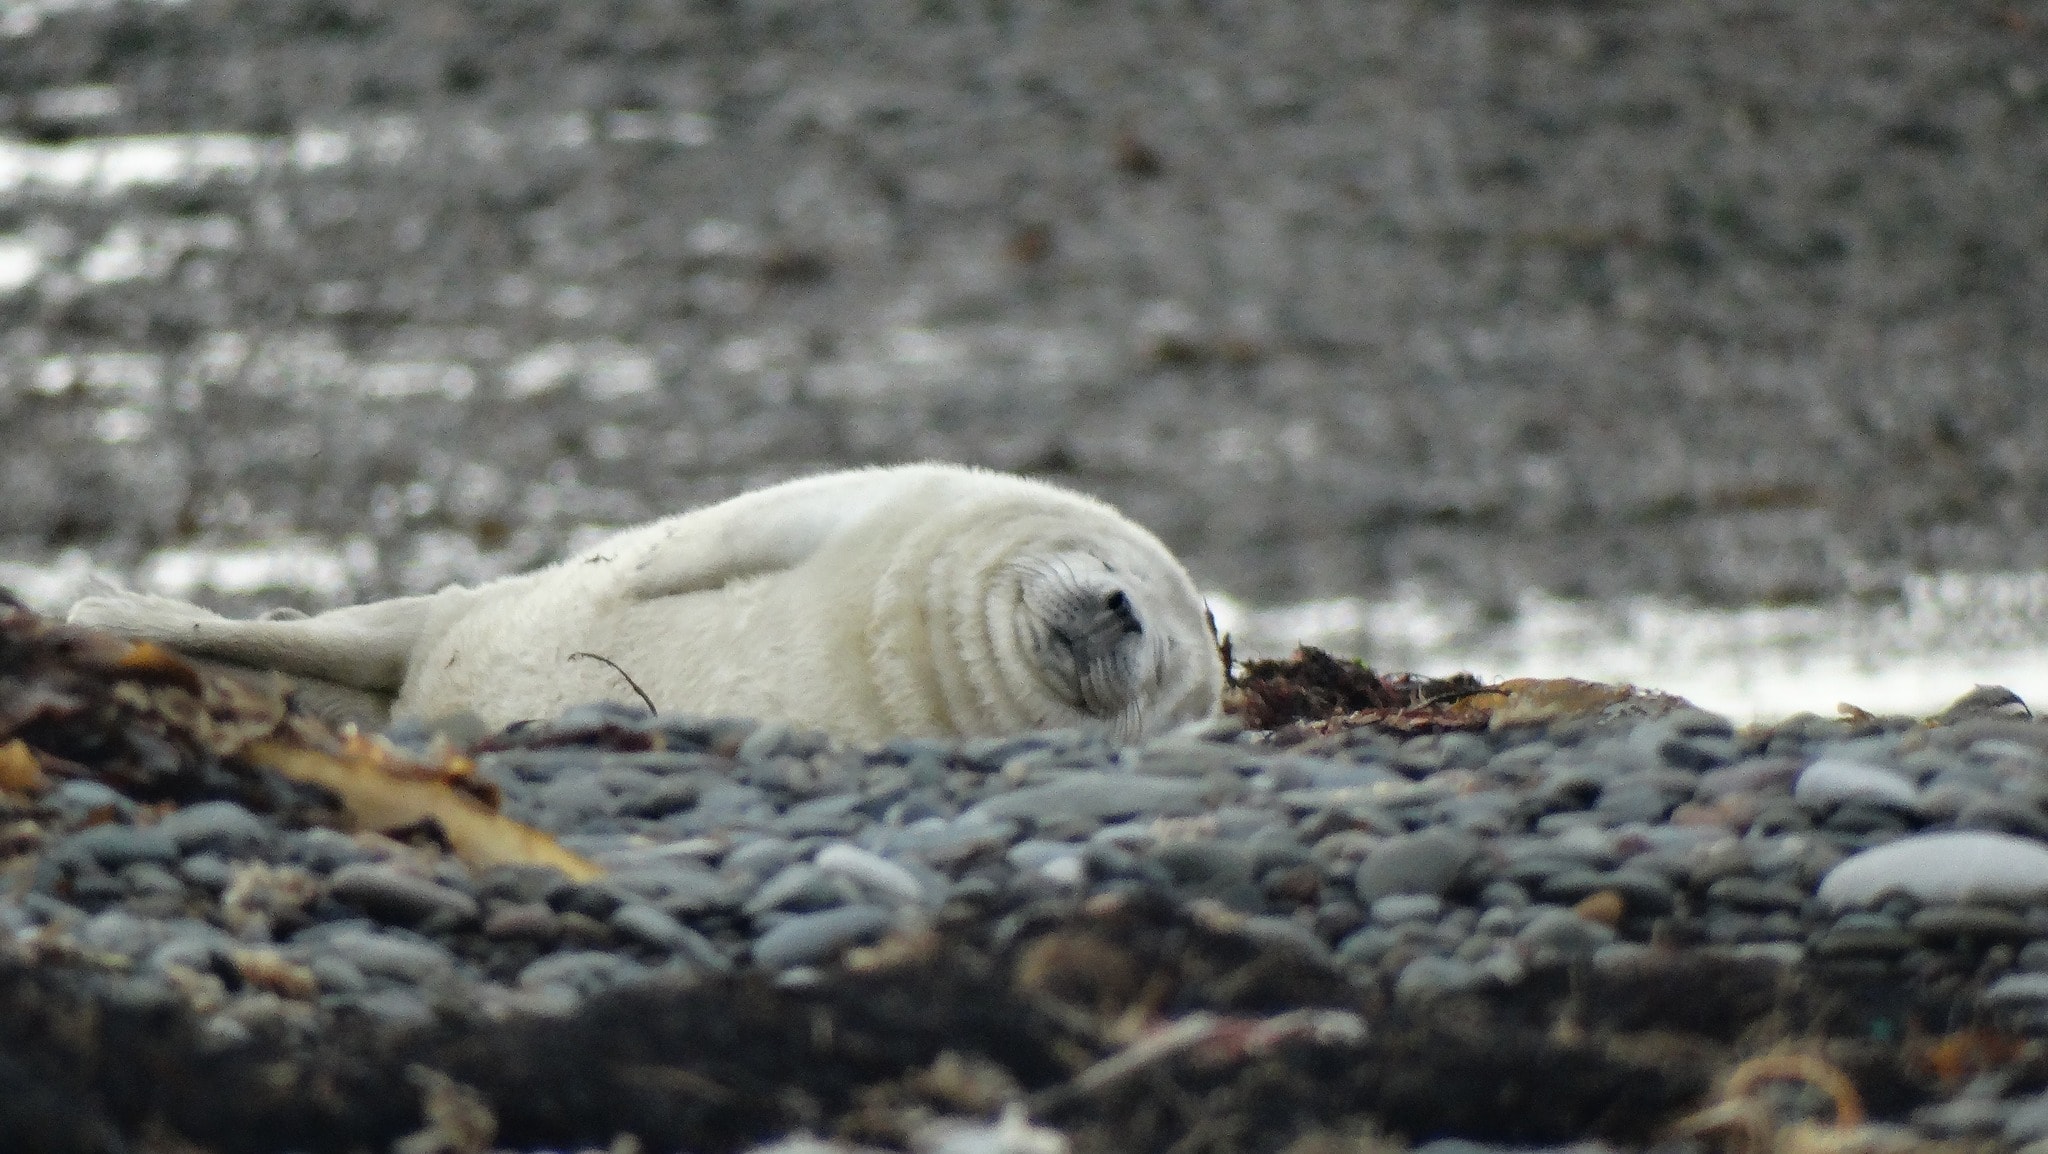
column 1576, row 928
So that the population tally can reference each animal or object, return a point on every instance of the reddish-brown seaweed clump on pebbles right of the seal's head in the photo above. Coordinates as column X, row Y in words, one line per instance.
column 1316, row 694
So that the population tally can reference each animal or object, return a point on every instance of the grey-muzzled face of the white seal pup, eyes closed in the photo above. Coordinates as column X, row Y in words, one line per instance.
column 1123, row 645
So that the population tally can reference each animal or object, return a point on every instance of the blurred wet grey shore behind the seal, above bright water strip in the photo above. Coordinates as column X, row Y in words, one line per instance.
column 1727, row 302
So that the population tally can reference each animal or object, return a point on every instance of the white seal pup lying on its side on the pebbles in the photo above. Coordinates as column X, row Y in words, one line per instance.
column 916, row 600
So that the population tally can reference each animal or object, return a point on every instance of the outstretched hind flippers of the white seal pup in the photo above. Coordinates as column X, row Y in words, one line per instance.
column 366, row 647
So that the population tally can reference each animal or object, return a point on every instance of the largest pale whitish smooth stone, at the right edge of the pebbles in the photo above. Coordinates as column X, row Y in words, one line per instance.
column 1943, row 868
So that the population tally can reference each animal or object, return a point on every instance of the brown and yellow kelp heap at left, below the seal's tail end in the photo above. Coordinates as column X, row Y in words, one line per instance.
column 161, row 729
